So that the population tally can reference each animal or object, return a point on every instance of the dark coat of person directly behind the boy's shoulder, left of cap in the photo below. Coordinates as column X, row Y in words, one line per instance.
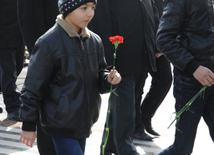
column 35, row 18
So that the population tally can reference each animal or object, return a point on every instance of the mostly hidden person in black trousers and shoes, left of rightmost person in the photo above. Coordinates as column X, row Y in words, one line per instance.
column 160, row 85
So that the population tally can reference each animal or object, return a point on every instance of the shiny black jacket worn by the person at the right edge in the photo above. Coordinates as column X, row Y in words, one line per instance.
column 186, row 35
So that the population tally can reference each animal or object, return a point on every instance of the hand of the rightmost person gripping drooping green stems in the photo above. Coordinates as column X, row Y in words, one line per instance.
column 204, row 76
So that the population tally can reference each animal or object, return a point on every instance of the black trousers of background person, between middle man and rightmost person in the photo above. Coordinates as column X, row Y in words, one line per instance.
column 160, row 85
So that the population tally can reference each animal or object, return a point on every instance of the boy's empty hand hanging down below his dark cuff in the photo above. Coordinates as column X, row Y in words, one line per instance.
column 28, row 137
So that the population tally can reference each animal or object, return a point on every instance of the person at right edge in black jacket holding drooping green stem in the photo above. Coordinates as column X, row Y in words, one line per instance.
column 185, row 36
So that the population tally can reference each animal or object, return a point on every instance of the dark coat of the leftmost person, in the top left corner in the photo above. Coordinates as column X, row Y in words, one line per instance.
column 10, row 35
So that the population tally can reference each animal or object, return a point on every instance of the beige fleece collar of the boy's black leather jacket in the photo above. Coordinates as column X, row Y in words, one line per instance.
column 70, row 31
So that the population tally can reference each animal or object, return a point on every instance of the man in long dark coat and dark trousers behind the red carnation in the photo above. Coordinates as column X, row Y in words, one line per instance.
column 132, row 19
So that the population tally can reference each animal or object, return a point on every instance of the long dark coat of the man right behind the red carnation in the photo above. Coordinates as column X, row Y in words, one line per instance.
column 115, row 17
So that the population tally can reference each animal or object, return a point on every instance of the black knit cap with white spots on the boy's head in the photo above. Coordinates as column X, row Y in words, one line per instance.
column 67, row 6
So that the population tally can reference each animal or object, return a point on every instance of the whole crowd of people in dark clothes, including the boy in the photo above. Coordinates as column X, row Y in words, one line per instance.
column 71, row 61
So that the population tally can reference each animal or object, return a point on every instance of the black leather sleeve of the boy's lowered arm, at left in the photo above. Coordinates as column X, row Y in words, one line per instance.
column 37, row 79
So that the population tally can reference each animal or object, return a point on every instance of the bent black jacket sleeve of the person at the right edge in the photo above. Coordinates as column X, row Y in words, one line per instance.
column 170, row 27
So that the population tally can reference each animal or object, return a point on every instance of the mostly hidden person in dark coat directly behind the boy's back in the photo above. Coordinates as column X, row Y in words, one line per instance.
column 35, row 18
